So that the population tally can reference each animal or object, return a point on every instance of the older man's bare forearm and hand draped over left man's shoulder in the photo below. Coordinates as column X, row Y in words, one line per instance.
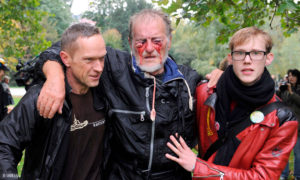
column 52, row 95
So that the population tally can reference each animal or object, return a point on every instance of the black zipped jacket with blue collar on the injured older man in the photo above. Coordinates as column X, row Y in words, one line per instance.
column 138, row 144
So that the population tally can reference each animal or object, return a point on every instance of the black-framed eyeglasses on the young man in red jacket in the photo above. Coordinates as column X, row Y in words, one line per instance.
column 254, row 55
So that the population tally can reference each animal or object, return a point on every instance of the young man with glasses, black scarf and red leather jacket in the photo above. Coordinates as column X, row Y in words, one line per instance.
column 244, row 130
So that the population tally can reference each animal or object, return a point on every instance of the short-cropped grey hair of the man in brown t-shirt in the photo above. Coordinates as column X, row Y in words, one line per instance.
column 75, row 31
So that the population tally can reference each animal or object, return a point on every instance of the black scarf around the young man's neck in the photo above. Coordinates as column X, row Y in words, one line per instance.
column 247, row 99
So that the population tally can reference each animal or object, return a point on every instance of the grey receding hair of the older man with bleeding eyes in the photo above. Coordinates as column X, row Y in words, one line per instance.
column 152, row 13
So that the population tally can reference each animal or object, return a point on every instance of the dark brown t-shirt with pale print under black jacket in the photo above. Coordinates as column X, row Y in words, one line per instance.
column 85, row 144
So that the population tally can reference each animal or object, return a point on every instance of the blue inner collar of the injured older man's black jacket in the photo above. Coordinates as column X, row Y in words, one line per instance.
column 171, row 70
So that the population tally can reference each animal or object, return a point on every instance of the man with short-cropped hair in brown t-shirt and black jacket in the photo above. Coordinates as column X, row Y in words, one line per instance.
column 69, row 145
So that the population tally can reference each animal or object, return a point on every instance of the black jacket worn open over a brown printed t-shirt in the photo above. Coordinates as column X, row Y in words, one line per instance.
column 45, row 140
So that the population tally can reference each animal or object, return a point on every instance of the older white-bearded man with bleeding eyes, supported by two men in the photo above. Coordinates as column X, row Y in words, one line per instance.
column 149, row 98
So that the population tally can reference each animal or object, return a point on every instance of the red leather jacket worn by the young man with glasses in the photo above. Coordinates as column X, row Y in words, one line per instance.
column 264, row 149
